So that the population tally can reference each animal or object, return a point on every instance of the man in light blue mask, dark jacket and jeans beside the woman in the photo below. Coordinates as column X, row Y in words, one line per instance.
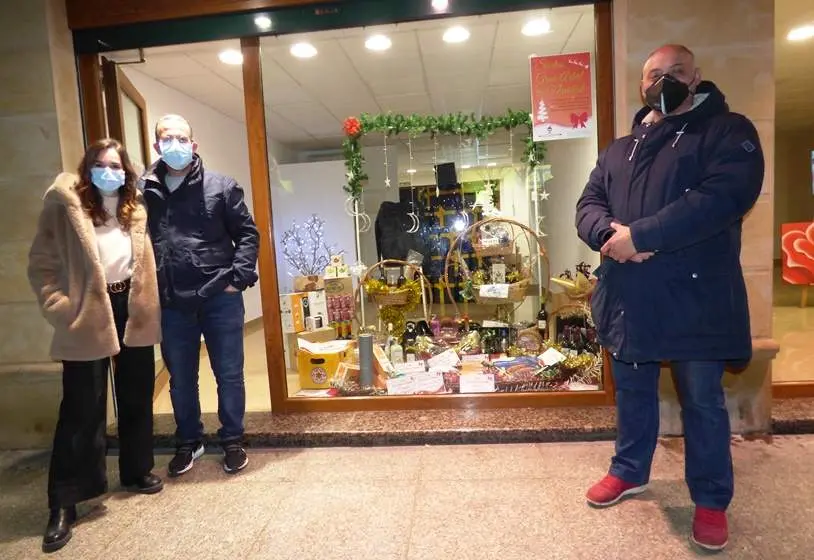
column 206, row 254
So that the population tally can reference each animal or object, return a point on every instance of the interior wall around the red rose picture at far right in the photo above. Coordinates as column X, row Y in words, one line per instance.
column 794, row 192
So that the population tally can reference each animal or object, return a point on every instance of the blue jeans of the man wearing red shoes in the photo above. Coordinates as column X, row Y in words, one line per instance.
column 707, row 456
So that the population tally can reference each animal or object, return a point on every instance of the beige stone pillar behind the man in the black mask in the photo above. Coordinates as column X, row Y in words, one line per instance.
column 733, row 41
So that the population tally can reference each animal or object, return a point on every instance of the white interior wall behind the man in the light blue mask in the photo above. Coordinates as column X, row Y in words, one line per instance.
column 221, row 142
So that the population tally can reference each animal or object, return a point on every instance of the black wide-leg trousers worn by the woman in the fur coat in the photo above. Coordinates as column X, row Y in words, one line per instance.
column 78, row 471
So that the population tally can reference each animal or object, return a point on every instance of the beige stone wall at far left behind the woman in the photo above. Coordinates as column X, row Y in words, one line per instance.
column 40, row 133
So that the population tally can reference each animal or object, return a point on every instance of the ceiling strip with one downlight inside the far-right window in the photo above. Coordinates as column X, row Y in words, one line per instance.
column 794, row 69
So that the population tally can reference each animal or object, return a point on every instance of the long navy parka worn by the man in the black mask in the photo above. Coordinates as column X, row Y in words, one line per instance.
column 683, row 187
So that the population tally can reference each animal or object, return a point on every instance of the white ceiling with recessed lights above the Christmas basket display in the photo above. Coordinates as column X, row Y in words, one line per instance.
column 307, row 99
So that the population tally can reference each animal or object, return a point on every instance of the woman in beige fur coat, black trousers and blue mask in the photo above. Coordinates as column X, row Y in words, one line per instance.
column 92, row 268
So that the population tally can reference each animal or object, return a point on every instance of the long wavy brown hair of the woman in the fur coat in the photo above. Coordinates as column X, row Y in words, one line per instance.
column 90, row 196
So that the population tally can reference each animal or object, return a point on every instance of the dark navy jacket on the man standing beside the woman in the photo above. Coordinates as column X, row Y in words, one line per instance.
column 204, row 237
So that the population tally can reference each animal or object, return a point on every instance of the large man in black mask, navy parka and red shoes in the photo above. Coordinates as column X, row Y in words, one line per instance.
column 665, row 206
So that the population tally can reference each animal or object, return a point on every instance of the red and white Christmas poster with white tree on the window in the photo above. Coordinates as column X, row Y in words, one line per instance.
column 562, row 97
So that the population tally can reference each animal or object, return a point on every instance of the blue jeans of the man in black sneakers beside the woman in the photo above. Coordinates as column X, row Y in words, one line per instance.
column 220, row 320
